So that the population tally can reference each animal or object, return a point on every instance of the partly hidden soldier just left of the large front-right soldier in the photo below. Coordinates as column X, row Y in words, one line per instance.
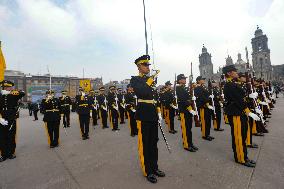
column 218, row 106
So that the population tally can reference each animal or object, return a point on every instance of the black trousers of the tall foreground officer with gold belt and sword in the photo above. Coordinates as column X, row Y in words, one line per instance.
column 147, row 146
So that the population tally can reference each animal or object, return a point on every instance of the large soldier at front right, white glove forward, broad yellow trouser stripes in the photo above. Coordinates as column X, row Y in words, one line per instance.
column 237, row 112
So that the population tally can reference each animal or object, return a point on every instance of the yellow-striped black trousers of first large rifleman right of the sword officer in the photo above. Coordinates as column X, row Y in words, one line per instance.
column 186, row 126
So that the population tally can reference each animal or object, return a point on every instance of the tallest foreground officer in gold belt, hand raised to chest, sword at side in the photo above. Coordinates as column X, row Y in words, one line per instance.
column 147, row 116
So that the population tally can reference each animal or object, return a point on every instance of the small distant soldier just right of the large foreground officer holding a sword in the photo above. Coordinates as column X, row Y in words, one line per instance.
column 170, row 107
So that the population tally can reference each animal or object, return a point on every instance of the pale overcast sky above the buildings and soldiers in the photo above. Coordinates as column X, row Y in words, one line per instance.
column 105, row 36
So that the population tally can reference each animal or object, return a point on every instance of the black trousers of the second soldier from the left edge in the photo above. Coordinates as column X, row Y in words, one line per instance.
column 53, row 132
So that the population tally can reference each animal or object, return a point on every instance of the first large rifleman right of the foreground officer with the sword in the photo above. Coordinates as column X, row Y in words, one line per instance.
column 186, row 113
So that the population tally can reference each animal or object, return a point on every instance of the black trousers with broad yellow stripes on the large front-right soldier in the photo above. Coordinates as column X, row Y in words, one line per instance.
column 239, row 128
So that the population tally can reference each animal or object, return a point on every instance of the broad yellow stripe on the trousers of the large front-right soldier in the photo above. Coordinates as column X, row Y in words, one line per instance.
column 238, row 139
